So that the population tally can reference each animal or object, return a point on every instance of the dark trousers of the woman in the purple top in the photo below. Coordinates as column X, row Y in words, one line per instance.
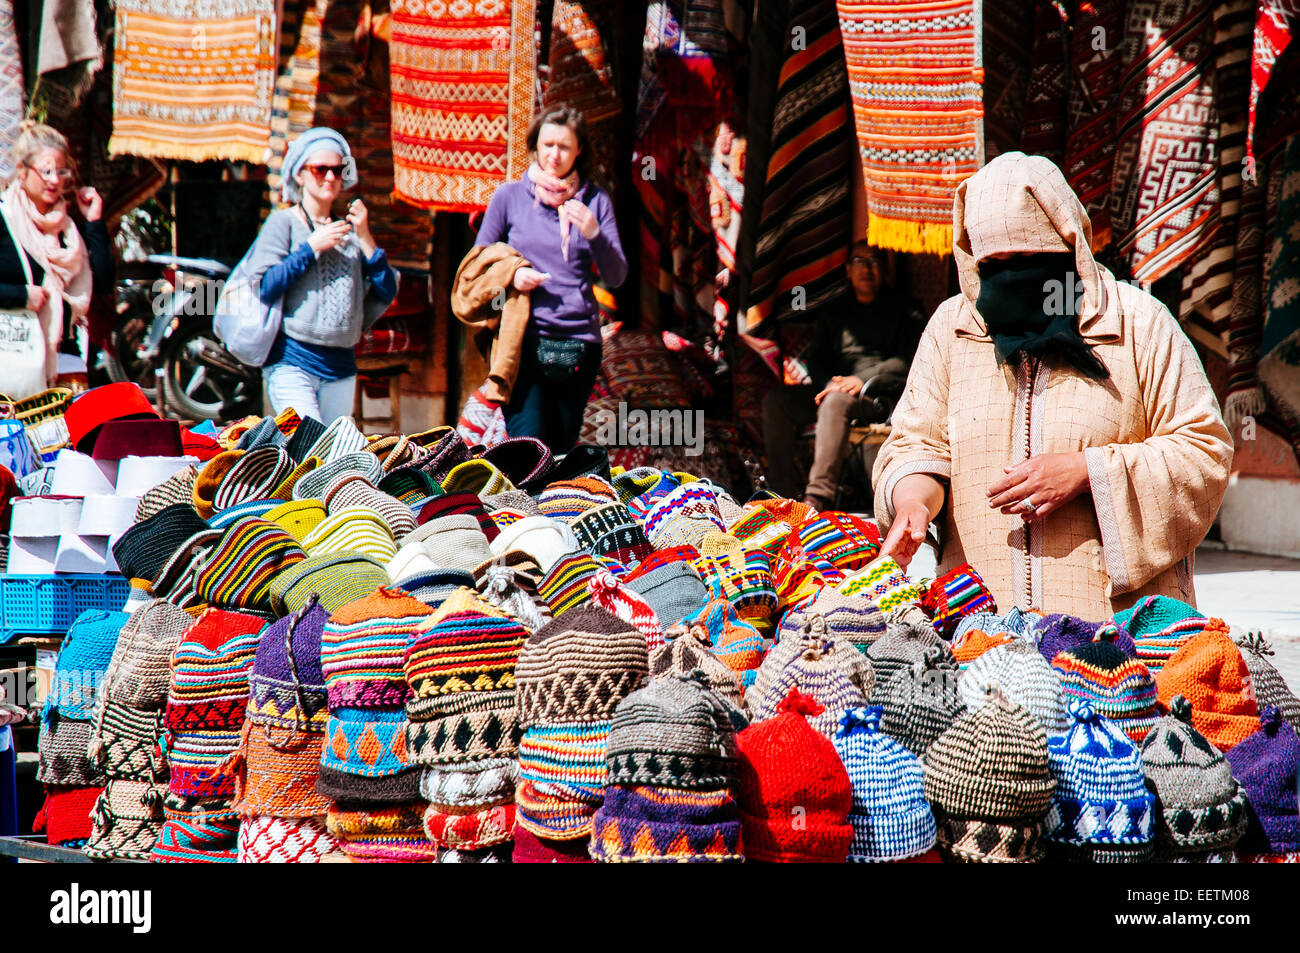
column 552, row 410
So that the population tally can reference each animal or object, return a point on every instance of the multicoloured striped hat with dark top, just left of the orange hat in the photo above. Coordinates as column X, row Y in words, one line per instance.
column 1117, row 687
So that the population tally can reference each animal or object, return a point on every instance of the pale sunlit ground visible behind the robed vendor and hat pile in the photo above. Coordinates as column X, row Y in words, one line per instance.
column 1253, row 594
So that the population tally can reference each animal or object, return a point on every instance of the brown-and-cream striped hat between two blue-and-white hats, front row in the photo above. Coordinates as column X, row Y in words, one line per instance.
column 990, row 785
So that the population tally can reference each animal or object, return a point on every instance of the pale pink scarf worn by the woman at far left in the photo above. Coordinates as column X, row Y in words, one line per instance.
column 68, row 278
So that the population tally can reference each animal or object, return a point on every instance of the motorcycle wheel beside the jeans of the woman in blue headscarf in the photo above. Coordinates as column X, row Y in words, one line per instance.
column 203, row 382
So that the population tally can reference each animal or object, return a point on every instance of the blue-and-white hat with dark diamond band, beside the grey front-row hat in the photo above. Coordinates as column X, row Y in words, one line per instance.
column 1100, row 809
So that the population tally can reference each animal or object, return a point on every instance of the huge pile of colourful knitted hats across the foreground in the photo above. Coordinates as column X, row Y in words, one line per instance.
column 404, row 648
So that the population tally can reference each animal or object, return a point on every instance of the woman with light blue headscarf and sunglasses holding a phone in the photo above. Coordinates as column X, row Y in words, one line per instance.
column 332, row 279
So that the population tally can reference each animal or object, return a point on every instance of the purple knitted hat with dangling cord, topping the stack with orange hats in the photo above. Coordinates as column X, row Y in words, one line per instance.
column 287, row 685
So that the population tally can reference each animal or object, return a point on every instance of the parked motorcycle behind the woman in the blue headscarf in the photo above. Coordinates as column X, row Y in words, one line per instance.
column 164, row 341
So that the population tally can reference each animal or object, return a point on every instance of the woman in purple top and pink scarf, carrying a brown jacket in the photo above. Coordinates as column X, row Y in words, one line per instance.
column 564, row 224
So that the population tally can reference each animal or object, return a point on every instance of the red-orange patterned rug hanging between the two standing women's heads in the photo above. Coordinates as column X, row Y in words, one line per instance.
column 463, row 90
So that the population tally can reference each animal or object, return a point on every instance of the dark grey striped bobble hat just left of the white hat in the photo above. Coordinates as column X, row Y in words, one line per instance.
column 921, row 701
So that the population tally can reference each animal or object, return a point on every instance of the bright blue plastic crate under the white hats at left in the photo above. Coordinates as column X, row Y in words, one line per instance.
column 49, row 605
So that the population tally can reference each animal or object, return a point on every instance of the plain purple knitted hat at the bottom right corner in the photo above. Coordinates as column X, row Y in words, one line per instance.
column 1266, row 765
